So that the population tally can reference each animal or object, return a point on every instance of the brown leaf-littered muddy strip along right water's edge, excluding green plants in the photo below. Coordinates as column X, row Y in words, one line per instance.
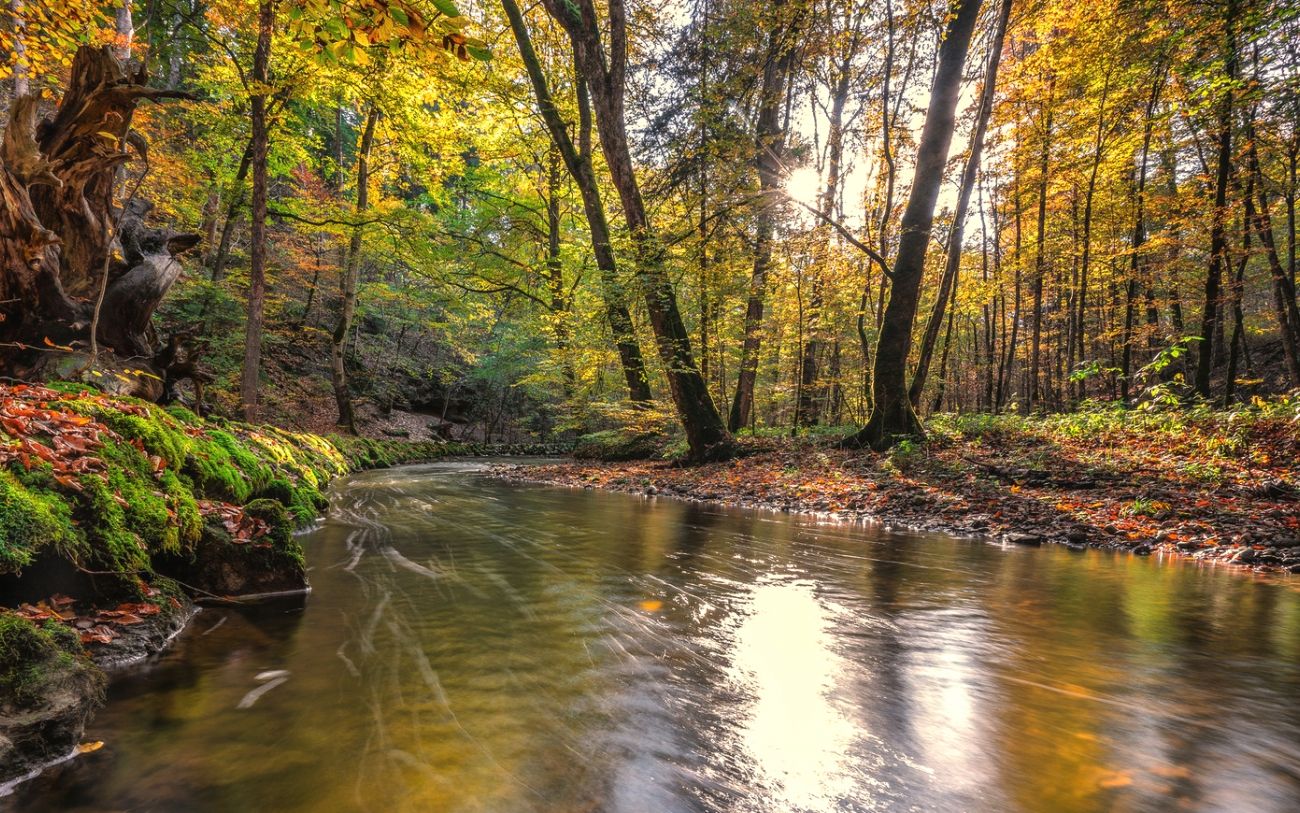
column 982, row 495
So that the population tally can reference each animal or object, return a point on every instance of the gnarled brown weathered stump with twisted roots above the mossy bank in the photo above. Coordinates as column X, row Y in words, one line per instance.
column 62, row 235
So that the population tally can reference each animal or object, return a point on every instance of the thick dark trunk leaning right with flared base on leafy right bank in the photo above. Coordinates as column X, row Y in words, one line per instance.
column 892, row 412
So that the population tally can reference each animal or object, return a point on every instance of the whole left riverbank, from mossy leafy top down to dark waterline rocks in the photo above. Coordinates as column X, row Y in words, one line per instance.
column 116, row 516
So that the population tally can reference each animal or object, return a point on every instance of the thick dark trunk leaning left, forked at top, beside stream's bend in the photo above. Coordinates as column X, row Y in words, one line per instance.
column 606, row 75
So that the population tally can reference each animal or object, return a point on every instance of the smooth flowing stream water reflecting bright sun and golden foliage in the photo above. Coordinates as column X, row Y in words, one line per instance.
column 473, row 646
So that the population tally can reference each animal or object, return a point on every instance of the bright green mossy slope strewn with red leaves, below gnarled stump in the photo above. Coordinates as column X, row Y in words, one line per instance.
column 138, row 483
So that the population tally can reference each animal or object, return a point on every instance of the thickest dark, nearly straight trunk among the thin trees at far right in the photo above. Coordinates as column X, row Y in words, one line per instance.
column 1219, row 232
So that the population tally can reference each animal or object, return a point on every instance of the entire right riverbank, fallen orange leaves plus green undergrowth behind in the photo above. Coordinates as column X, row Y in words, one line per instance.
column 1212, row 486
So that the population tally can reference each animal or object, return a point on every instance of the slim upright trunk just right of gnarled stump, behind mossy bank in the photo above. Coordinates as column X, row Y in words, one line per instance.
column 252, row 377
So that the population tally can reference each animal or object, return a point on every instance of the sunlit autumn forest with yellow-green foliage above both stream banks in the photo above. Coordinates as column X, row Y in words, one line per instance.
column 757, row 219
